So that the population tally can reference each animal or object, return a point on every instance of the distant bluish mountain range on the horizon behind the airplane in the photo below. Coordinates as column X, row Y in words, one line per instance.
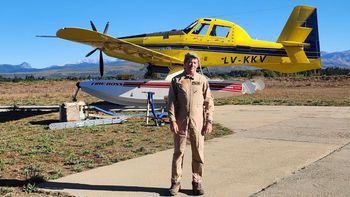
column 85, row 68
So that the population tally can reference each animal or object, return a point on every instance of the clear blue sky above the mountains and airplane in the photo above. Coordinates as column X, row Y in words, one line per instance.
column 22, row 20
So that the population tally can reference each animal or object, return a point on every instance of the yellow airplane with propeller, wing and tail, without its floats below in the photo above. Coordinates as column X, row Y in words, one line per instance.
column 217, row 42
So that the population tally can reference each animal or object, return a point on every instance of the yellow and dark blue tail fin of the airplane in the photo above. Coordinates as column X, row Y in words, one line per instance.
column 300, row 39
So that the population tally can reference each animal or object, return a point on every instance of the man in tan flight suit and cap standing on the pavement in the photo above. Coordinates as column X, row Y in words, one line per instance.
column 191, row 108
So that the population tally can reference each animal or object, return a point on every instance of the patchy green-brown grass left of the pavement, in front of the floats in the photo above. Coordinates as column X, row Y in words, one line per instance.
column 30, row 151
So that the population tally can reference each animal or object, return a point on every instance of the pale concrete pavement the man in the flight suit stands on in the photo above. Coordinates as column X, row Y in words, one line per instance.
column 275, row 151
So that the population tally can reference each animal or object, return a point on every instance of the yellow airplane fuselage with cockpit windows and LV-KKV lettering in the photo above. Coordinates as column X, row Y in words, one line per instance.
column 232, row 47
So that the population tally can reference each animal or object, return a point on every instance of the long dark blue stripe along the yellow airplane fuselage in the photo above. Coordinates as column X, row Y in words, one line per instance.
column 229, row 49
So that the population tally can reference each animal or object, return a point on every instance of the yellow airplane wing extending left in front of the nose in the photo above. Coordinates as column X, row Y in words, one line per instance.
column 118, row 48
